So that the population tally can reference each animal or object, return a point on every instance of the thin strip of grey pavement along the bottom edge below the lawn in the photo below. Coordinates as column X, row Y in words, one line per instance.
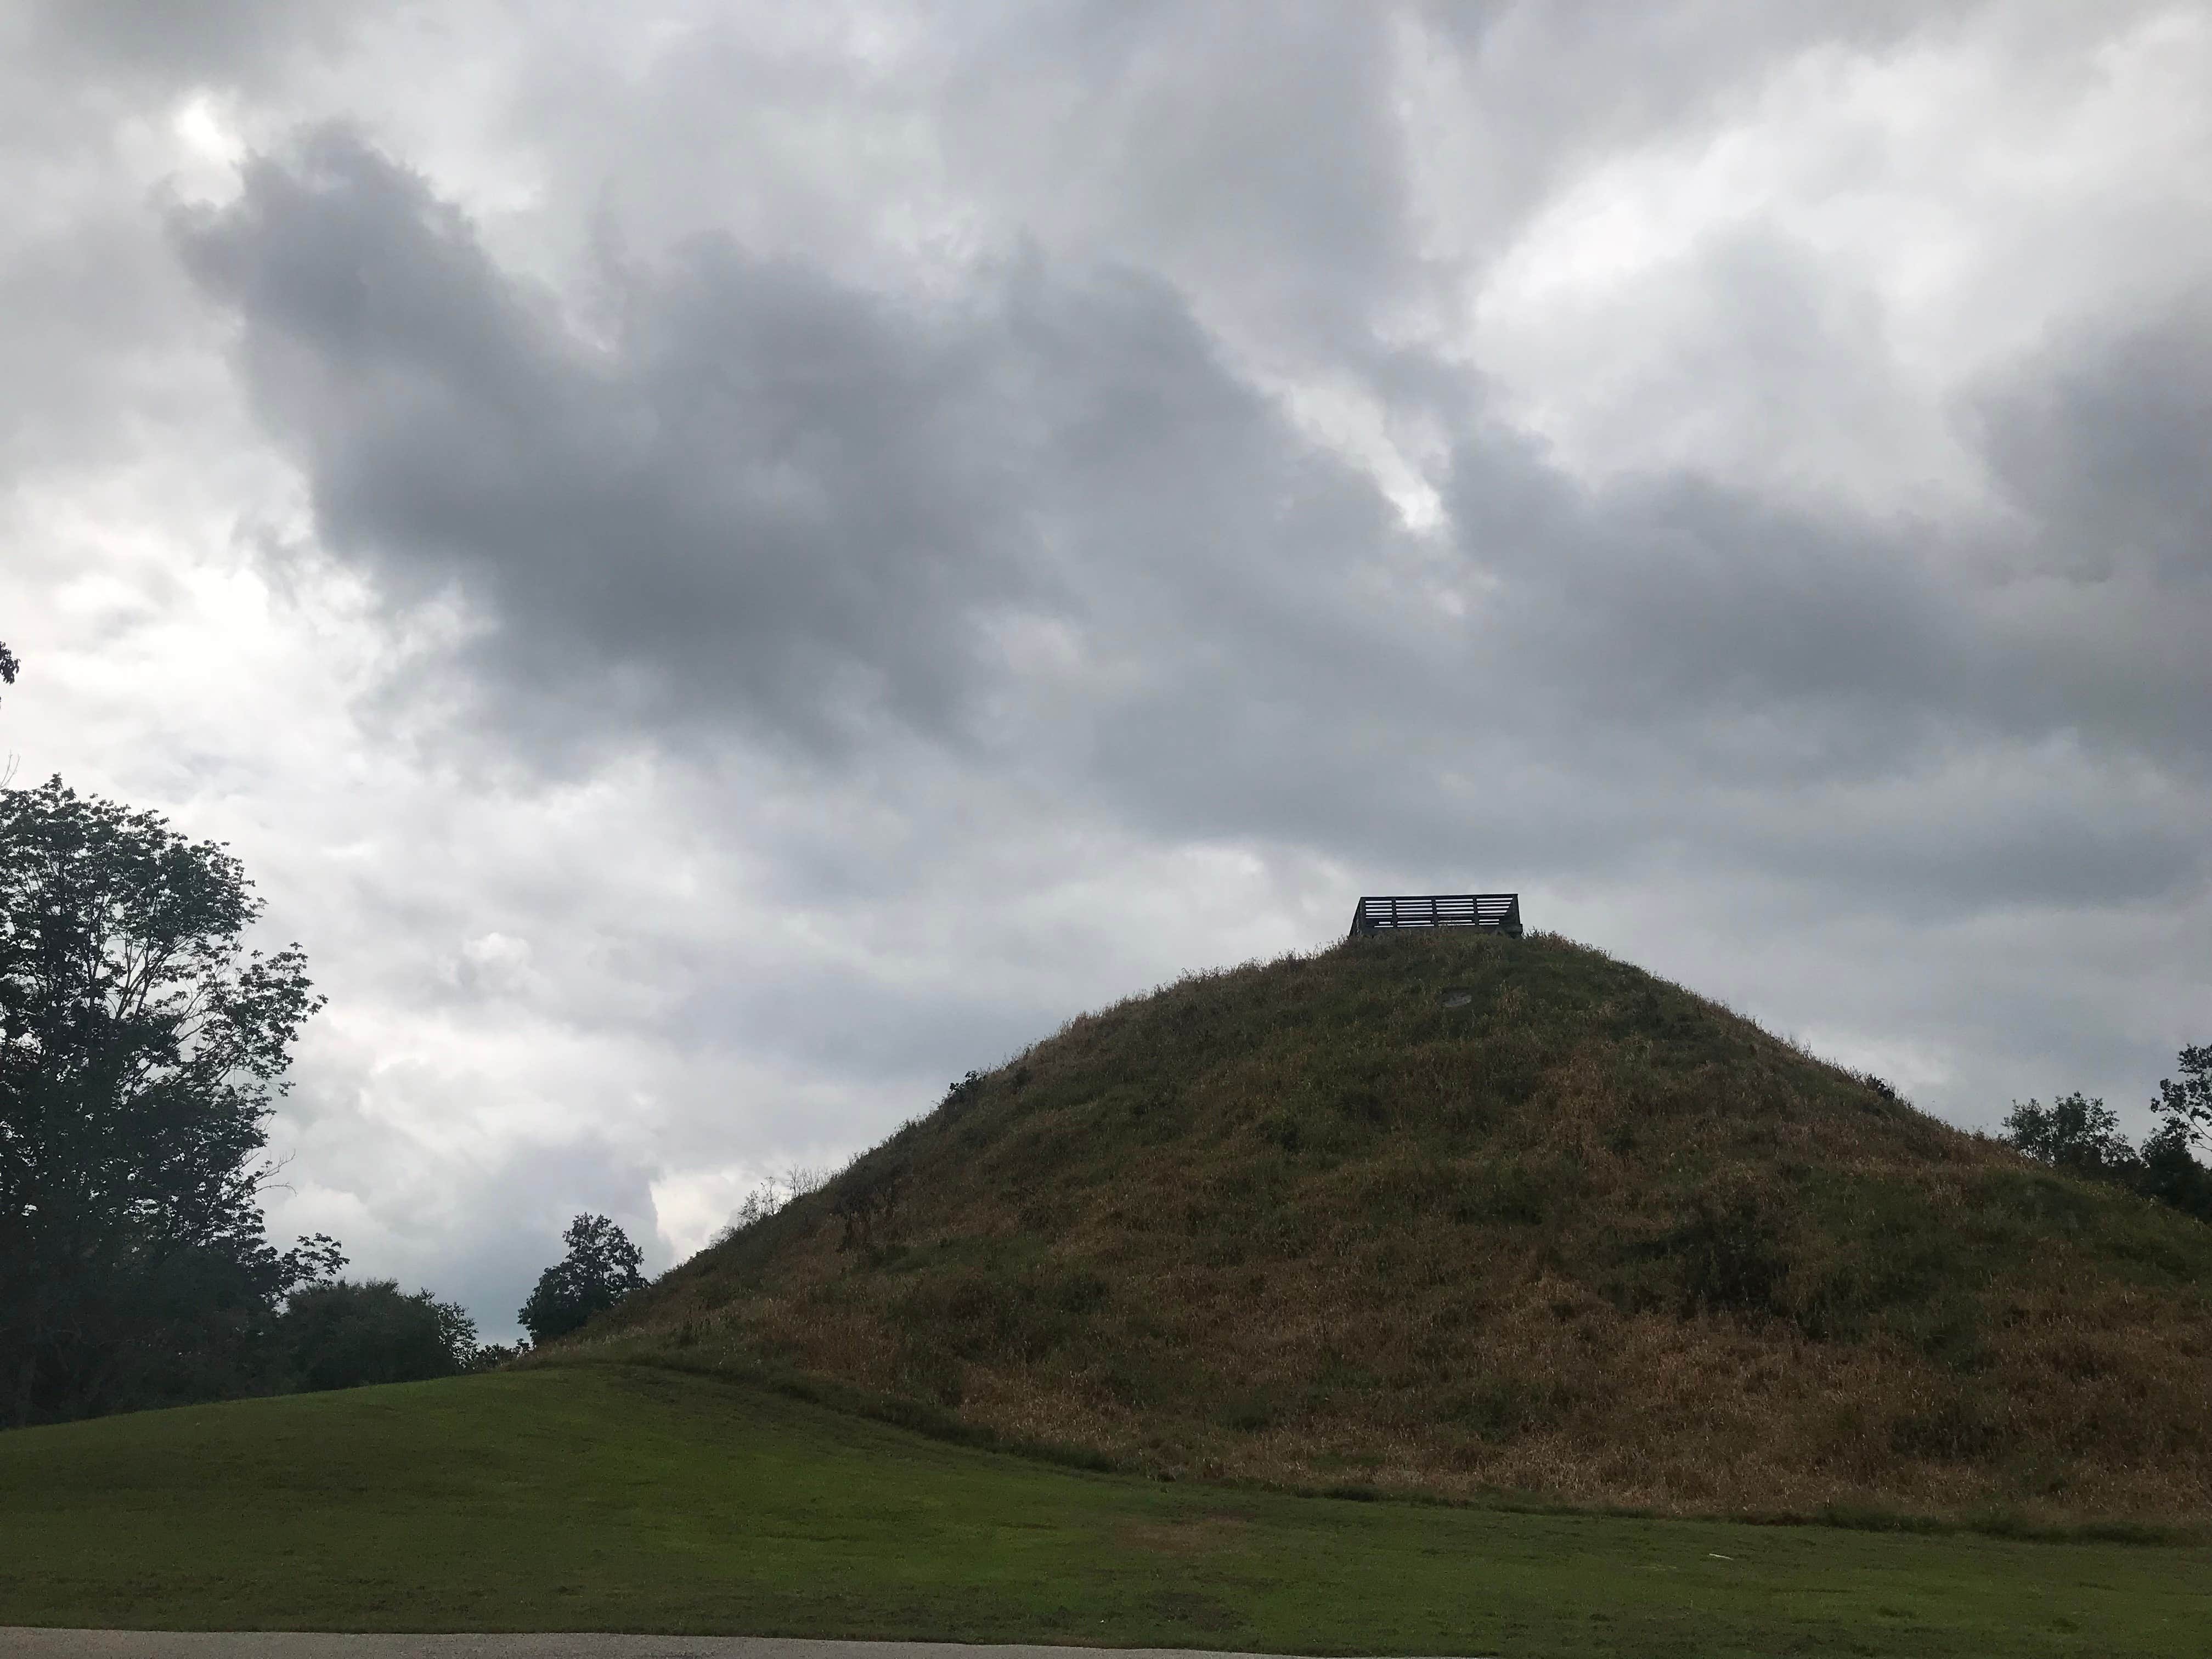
column 306, row 1645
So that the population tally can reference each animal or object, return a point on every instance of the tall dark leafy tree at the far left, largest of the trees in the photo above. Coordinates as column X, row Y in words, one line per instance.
column 140, row 1054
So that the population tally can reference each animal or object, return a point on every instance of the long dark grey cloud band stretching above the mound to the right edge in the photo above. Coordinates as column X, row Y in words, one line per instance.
column 766, row 501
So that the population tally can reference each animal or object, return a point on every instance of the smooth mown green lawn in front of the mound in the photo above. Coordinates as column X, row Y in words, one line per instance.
column 625, row 1499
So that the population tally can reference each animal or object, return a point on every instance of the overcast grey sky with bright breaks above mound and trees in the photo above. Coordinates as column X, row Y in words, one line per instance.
column 727, row 563
